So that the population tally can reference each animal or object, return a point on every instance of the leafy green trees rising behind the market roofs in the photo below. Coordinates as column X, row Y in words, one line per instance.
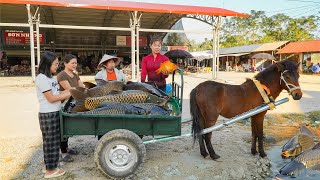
column 259, row 28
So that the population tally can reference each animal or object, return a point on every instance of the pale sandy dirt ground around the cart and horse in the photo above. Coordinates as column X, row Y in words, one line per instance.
column 20, row 139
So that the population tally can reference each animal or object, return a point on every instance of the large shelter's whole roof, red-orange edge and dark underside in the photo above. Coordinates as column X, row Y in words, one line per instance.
column 103, row 13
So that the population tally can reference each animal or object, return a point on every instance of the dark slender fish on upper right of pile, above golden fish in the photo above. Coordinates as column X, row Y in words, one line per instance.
column 144, row 87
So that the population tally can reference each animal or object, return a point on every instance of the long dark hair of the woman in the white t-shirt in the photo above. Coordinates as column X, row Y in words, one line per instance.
column 45, row 64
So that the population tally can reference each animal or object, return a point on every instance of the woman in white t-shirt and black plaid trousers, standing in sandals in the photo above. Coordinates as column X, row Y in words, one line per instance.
column 50, row 97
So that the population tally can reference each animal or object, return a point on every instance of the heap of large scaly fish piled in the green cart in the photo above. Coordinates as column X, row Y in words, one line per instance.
column 115, row 97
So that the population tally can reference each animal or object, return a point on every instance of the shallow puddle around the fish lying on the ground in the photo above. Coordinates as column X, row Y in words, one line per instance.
column 274, row 154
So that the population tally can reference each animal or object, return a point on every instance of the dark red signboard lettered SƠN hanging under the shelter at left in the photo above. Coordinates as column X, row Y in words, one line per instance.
column 20, row 37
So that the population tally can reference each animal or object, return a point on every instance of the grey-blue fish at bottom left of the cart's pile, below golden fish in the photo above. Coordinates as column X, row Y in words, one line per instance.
column 117, row 108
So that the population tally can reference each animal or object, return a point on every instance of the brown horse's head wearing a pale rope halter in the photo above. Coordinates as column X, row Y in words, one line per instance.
column 289, row 78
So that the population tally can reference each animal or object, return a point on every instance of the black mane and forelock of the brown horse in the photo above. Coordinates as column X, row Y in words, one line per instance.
column 266, row 76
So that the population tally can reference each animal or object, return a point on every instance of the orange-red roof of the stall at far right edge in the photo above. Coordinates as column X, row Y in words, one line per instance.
column 301, row 47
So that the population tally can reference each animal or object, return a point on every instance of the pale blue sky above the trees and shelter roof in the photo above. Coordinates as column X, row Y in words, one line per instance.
column 293, row 8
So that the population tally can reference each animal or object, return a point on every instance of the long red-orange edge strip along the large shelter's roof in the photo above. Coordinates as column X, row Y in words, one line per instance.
column 131, row 6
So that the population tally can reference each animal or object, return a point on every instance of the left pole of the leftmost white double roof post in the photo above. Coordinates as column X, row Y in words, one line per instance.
column 30, row 20
